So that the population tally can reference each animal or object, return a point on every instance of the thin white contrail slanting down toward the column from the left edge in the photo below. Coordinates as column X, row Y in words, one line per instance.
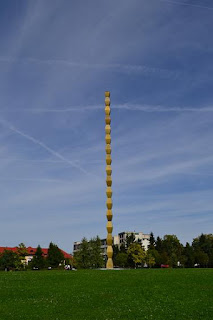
column 41, row 144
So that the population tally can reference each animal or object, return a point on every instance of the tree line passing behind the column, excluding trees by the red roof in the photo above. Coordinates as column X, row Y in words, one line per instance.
column 162, row 252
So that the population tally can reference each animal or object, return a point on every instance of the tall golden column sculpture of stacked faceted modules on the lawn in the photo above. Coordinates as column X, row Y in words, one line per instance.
column 109, row 227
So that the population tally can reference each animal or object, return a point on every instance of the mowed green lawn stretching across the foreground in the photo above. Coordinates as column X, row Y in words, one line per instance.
column 95, row 294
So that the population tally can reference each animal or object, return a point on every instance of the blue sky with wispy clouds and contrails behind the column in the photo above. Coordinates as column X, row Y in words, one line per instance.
column 57, row 58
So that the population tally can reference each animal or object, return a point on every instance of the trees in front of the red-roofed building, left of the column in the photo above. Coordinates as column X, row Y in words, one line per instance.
column 10, row 260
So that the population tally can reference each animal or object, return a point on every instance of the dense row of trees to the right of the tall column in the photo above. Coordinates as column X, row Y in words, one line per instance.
column 166, row 251
